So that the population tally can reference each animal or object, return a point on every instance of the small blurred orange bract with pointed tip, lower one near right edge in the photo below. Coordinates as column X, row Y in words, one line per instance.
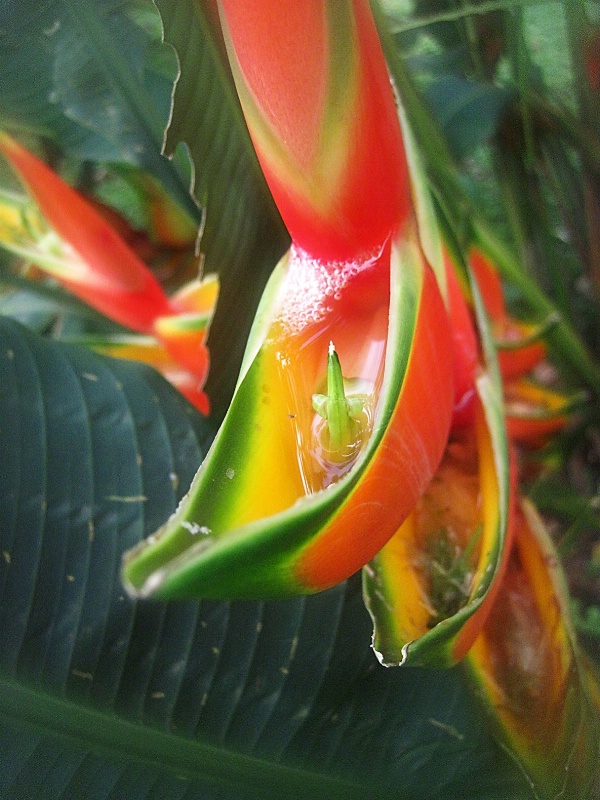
column 535, row 413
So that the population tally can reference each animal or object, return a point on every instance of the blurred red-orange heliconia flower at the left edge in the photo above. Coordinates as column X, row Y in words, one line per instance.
column 69, row 238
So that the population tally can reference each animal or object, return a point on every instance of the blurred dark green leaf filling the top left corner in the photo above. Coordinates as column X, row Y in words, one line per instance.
column 91, row 77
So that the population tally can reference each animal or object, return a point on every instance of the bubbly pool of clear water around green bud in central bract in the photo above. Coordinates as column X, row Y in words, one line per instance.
column 346, row 304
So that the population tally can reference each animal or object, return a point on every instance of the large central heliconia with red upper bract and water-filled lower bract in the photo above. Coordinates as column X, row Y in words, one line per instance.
column 343, row 405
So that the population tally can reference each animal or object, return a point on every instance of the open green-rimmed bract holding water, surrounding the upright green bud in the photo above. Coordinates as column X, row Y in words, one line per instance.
column 277, row 508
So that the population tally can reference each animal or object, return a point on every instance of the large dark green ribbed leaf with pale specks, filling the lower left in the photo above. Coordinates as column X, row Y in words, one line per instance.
column 101, row 697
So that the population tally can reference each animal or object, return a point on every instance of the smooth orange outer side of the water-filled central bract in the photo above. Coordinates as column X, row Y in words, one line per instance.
column 395, row 479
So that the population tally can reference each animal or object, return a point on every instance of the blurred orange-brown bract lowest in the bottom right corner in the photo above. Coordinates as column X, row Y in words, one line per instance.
column 526, row 669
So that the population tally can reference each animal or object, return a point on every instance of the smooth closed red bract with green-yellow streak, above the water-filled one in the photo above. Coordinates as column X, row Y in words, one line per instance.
column 323, row 120
